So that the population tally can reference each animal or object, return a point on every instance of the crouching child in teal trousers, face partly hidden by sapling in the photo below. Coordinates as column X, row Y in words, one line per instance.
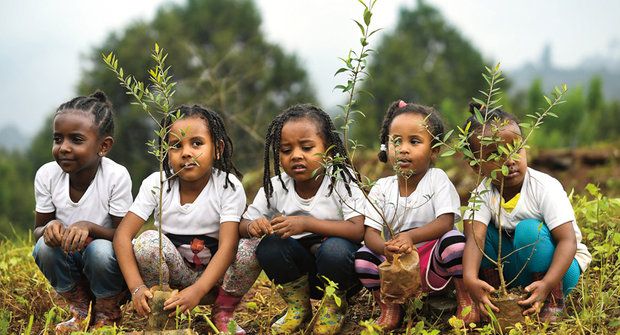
column 535, row 213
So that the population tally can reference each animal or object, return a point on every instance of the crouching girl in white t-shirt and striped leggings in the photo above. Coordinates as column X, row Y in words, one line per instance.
column 420, row 205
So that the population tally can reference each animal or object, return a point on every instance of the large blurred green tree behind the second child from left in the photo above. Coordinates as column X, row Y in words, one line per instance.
column 219, row 57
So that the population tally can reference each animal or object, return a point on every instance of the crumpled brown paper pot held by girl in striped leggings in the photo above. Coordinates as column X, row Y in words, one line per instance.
column 400, row 278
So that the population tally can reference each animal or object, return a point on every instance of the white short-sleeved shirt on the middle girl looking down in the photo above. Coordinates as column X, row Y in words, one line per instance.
column 337, row 206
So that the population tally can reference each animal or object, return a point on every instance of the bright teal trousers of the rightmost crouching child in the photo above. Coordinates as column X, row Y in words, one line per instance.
column 528, row 234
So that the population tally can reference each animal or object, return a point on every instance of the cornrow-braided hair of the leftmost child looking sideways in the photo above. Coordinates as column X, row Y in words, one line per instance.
column 96, row 104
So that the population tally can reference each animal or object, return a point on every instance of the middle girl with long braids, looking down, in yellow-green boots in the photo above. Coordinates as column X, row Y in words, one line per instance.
column 309, row 220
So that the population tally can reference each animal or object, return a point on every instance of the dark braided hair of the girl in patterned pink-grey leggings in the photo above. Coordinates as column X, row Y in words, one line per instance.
column 218, row 135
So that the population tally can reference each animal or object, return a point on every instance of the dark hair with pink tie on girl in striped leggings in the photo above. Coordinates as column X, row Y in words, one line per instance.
column 433, row 122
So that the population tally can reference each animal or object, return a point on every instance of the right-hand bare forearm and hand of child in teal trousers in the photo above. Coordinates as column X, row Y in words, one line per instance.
column 565, row 249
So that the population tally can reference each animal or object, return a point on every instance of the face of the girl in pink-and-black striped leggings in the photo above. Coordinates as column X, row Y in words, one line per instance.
column 410, row 144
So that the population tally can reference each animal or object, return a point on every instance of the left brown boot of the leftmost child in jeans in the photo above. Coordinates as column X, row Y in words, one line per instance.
column 78, row 299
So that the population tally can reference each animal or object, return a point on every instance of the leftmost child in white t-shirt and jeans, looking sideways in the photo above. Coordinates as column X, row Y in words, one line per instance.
column 80, row 200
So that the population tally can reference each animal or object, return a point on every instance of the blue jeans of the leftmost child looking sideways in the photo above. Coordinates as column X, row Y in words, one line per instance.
column 96, row 264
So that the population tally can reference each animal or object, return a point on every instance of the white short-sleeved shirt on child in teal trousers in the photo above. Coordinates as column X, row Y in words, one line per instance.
column 542, row 197
